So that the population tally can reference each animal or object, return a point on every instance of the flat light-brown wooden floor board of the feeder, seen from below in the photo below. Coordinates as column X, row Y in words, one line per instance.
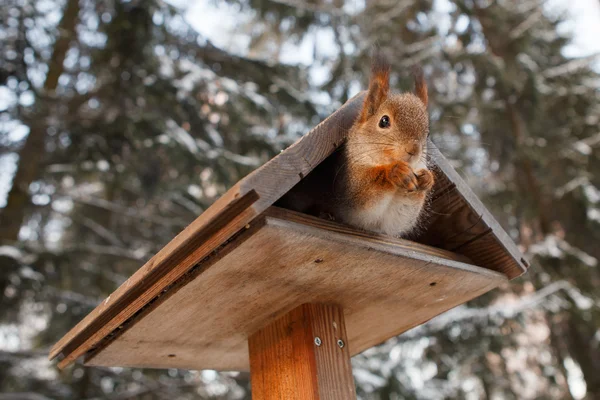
column 385, row 286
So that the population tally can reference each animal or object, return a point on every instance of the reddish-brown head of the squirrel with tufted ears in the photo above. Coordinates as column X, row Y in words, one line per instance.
column 391, row 127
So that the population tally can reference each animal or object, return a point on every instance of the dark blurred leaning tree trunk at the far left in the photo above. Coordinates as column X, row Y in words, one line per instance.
column 33, row 150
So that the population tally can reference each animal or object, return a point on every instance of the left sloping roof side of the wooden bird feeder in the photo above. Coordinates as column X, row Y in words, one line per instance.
column 264, row 186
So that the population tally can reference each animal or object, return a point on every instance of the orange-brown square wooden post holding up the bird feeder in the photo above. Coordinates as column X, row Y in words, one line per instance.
column 302, row 356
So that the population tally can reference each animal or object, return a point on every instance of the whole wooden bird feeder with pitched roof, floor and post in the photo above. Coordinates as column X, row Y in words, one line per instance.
column 291, row 297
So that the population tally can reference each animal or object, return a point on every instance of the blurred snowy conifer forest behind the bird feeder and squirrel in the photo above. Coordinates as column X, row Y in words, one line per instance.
column 121, row 121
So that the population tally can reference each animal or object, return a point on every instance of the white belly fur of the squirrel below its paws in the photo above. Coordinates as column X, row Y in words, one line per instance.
column 391, row 214
